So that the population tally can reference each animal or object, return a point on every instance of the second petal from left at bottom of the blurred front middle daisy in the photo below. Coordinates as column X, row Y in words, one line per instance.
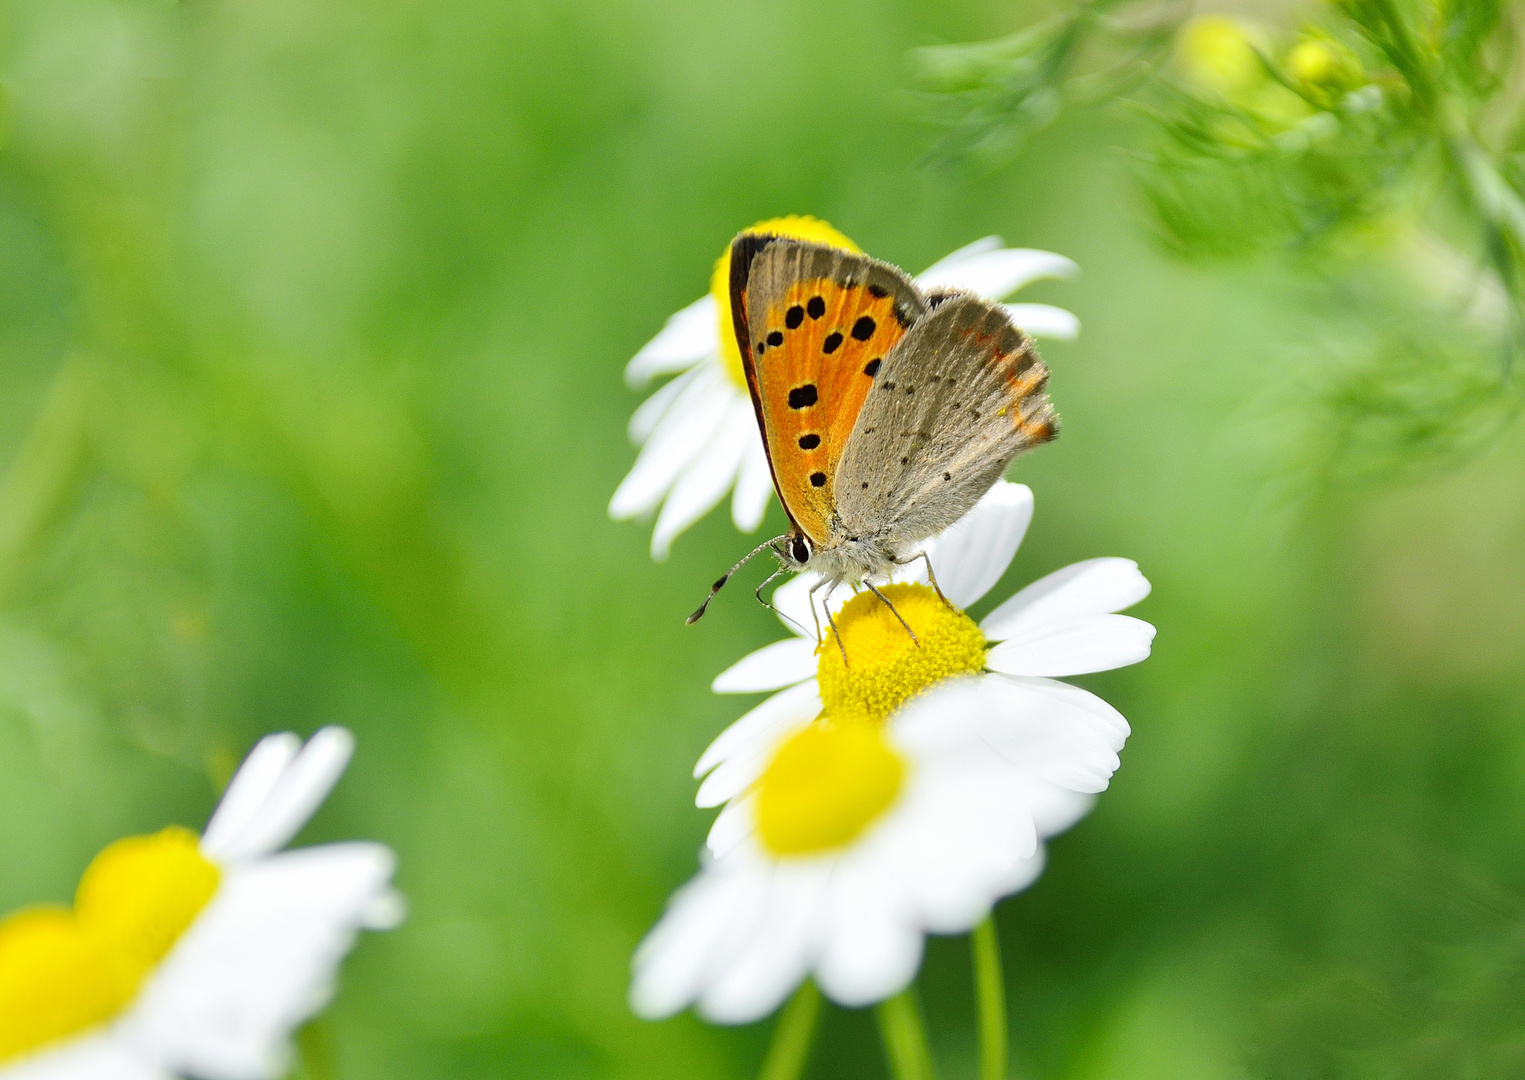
column 779, row 953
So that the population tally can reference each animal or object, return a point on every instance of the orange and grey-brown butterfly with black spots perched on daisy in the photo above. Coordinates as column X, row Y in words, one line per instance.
column 887, row 413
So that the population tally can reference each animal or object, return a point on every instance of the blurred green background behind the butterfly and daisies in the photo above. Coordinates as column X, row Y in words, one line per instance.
column 312, row 329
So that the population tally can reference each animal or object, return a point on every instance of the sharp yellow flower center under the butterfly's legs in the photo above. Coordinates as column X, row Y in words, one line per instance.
column 885, row 669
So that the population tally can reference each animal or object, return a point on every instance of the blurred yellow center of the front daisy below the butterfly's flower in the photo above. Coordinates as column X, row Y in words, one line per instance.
column 826, row 786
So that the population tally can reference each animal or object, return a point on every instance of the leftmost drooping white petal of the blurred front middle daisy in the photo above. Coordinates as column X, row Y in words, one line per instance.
column 701, row 928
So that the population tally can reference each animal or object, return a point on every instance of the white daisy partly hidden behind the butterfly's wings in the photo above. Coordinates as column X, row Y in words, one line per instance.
column 699, row 437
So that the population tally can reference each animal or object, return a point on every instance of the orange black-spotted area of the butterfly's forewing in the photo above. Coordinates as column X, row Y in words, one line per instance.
column 814, row 373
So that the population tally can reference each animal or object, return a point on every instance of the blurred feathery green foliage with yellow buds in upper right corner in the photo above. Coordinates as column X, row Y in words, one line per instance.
column 1378, row 152
